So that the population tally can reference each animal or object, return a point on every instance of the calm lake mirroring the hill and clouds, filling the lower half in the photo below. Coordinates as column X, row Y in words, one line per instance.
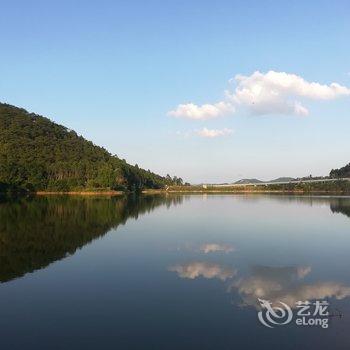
column 174, row 272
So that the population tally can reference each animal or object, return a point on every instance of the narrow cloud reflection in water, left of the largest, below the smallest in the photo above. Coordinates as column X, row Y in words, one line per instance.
column 203, row 269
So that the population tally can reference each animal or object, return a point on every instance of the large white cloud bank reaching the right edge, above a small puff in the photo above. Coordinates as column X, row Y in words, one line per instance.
column 264, row 93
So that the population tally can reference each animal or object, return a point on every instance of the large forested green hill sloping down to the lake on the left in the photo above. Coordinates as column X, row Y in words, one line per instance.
column 37, row 154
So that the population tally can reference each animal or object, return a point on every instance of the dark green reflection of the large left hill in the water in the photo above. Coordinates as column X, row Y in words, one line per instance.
column 36, row 232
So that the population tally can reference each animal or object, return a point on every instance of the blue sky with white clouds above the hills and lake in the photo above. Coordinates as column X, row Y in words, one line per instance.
column 113, row 70
